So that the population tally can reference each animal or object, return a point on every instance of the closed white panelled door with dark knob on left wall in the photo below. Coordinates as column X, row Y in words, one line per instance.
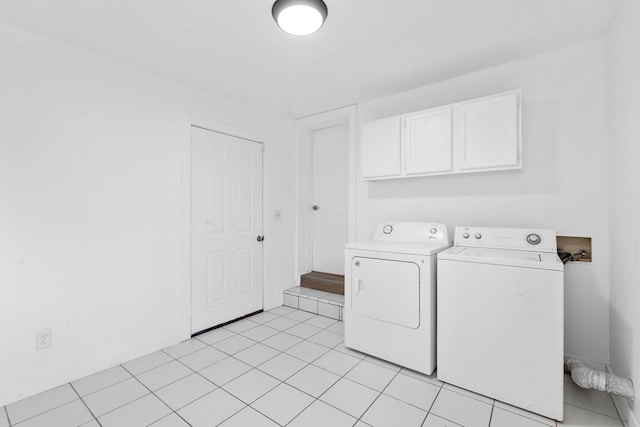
column 226, row 220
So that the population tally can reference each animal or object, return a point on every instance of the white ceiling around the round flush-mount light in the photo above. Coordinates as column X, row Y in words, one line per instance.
column 367, row 48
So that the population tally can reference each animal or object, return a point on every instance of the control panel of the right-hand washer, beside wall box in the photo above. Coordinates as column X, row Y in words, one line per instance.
column 540, row 240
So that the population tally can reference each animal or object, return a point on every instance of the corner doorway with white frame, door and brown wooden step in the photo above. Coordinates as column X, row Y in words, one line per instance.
column 326, row 197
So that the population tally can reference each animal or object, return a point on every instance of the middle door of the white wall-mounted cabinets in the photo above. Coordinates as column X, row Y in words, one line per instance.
column 428, row 142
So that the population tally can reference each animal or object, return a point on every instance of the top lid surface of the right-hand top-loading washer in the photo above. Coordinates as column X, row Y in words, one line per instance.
column 542, row 260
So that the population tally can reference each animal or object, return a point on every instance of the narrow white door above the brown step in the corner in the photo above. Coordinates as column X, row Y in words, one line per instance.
column 330, row 196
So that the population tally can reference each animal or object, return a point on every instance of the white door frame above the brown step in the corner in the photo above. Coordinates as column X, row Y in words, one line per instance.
column 304, row 226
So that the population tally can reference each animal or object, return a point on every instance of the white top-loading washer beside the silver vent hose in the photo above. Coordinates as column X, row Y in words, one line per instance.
column 501, row 316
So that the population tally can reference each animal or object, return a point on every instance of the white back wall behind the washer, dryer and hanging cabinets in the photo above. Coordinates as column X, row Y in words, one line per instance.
column 563, row 183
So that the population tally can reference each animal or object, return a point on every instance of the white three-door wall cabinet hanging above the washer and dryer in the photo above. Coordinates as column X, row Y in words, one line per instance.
column 482, row 134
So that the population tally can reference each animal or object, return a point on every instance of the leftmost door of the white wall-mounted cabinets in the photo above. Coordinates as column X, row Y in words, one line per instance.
column 381, row 148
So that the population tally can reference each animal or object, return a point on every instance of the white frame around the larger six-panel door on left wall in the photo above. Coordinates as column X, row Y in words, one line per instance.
column 189, row 120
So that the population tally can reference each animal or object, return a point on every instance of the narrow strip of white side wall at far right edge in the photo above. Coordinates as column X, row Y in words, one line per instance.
column 624, row 209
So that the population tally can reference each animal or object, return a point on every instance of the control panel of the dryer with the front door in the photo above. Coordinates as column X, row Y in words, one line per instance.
column 418, row 232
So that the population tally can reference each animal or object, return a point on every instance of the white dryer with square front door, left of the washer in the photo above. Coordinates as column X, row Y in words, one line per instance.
column 390, row 293
